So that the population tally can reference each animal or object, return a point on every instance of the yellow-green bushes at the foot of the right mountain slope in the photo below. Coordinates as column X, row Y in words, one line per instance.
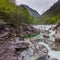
column 47, row 19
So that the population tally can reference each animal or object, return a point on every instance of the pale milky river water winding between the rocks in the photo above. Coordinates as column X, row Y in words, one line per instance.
column 52, row 53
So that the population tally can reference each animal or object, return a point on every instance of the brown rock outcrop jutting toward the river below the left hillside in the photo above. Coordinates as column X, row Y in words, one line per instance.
column 26, row 30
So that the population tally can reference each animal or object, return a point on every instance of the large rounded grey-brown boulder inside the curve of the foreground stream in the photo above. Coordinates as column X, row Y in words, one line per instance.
column 42, row 52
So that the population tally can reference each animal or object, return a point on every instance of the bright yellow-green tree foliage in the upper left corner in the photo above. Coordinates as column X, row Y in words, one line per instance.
column 6, row 6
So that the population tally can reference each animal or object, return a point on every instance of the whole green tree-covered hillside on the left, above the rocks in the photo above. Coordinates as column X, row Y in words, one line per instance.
column 13, row 14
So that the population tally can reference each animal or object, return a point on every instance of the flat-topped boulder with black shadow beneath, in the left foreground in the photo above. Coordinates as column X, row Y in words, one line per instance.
column 21, row 45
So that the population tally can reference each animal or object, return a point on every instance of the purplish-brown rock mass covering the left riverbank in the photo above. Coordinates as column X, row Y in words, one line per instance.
column 8, row 52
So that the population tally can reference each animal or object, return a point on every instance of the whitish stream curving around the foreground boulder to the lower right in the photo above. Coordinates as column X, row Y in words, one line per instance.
column 52, row 53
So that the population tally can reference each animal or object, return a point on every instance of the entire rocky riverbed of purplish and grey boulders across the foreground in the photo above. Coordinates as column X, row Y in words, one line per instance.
column 15, row 44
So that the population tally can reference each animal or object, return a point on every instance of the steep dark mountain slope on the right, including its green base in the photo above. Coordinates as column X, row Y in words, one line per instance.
column 52, row 15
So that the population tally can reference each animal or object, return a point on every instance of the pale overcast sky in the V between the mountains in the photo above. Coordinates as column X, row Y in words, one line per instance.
column 39, row 5
